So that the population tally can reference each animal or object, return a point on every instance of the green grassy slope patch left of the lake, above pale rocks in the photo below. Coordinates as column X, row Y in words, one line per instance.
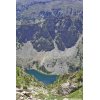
column 24, row 80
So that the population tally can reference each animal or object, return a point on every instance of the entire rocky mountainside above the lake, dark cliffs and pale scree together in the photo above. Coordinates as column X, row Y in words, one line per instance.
column 50, row 33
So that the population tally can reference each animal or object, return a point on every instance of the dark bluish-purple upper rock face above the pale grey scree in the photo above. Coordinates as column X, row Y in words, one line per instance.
column 61, row 21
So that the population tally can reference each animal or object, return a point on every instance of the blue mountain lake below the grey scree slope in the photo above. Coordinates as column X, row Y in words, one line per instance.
column 46, row 79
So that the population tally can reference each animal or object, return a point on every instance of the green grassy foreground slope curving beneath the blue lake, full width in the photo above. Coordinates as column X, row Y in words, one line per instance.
column 50, row 92
